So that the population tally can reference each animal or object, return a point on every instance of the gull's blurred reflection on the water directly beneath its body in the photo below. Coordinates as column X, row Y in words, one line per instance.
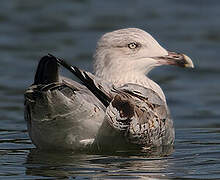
column 122, row 164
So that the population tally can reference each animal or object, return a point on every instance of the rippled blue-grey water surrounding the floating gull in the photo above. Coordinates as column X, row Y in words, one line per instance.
column 69, row 29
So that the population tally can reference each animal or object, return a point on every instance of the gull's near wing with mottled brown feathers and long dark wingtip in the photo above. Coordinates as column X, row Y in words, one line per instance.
column 134, row 115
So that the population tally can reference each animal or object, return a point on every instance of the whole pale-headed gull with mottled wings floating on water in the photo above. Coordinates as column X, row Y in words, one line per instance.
column 118, row 106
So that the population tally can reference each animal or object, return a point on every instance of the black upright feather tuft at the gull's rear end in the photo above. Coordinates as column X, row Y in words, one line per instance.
column 47, row 71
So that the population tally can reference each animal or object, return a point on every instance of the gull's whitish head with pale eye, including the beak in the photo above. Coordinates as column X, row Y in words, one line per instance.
column 132, row 52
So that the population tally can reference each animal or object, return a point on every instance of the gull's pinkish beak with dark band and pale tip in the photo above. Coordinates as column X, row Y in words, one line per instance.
column 176, row 59
